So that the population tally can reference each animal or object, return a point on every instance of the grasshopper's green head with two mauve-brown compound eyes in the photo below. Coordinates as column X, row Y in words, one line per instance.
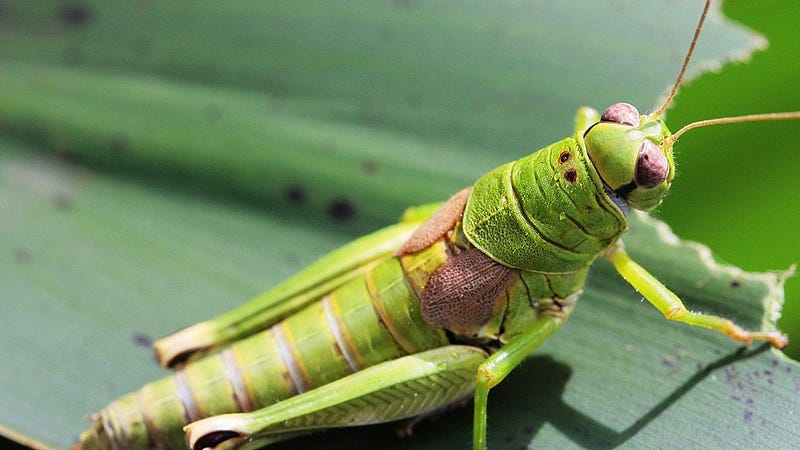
column 628, row 150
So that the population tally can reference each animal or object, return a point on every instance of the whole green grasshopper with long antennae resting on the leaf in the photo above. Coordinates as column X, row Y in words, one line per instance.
column 425, row 313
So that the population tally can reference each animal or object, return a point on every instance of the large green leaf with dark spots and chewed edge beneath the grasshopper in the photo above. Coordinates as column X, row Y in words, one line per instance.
column 161, row 164
